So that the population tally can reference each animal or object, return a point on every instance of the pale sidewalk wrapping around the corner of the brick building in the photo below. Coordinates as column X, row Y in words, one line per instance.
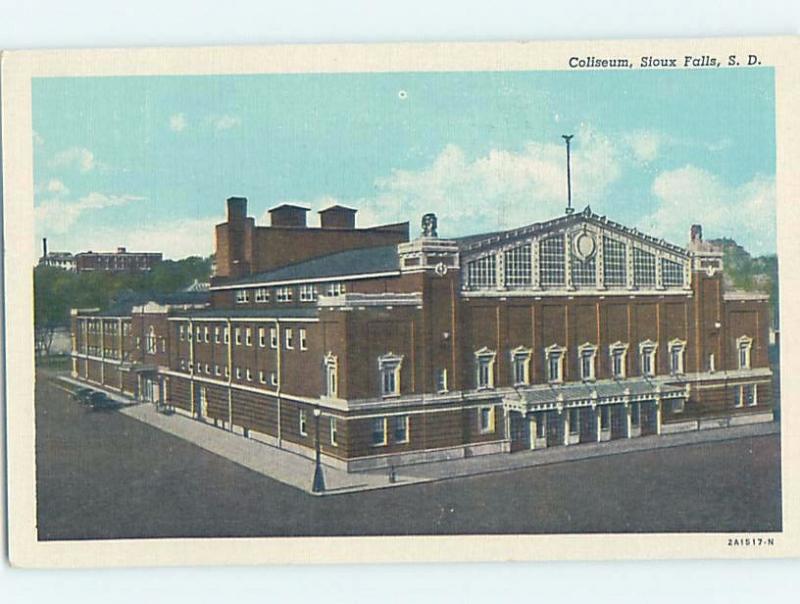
column 297, row 471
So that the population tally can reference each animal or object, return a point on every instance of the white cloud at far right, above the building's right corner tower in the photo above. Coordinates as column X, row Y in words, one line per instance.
column 690, row 194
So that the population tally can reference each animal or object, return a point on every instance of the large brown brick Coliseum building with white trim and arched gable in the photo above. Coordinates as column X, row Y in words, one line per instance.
column 394, row 351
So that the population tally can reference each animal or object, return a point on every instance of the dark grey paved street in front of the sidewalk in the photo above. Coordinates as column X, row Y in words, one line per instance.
column 105, row 475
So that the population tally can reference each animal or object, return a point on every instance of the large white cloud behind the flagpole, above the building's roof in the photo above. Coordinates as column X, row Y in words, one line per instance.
column 498, row 190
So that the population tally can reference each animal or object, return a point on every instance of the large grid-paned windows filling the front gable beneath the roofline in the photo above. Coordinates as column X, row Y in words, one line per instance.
column 517, row 267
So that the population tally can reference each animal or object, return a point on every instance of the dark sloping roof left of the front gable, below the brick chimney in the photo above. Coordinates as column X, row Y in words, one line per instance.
column 351, row 262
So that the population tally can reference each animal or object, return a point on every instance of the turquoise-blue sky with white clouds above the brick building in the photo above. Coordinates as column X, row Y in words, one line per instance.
column 147, row 162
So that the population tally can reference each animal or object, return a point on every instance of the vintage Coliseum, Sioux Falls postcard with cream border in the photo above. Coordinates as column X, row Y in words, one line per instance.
column 401, row 302
